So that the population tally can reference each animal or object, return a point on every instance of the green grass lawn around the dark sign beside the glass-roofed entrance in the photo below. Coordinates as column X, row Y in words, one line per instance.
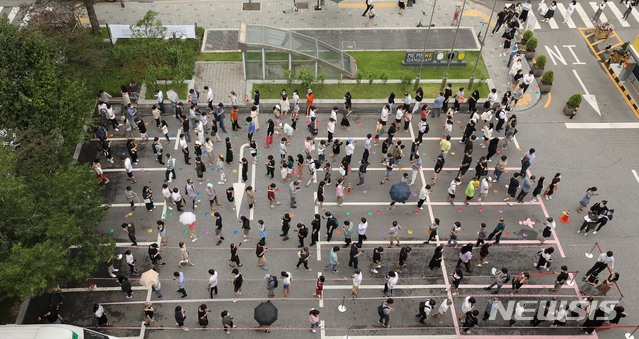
column 391, row 64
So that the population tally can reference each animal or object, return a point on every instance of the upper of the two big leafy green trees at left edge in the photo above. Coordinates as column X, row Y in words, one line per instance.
column 36, row 93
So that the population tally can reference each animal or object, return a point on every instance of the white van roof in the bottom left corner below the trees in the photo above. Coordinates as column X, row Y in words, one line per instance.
column 49, row 332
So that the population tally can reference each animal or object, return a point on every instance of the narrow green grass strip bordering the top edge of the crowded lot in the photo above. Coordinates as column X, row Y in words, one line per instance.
column 361, row 91
